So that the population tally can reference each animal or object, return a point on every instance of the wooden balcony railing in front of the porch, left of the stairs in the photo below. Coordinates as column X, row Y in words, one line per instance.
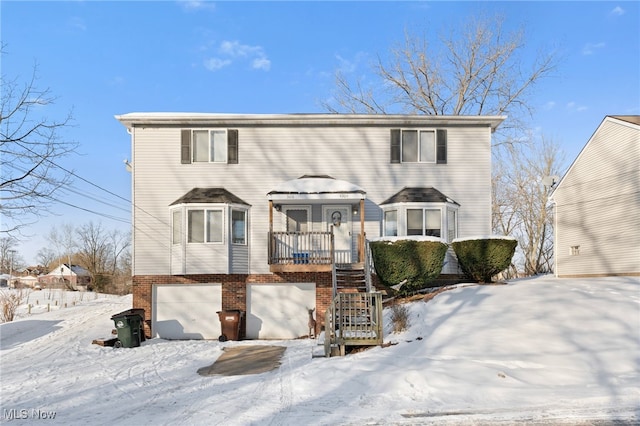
column 314, row 248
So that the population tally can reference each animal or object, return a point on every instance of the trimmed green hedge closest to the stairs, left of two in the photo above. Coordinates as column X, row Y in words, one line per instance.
column 419, row 262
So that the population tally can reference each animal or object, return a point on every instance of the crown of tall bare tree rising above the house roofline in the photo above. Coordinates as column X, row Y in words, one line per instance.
column 477, row 70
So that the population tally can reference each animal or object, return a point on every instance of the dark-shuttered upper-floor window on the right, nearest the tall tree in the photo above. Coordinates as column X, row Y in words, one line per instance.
column 418, row 146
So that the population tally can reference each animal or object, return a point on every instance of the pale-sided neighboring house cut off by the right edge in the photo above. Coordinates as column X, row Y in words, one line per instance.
column 597, row 204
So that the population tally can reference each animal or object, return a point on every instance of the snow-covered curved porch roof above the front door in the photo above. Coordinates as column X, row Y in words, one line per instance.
column 316, row 187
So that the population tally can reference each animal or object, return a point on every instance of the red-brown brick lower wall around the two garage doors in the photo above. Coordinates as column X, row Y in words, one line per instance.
column 234, row 289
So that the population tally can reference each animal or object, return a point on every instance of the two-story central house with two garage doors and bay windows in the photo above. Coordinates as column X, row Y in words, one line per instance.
column 260, row 213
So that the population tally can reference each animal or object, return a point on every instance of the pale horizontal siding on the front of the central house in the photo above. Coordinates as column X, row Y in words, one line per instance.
column 271, row 155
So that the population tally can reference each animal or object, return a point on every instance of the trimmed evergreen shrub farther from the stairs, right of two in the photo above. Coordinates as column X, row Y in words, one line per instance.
column 482, row 258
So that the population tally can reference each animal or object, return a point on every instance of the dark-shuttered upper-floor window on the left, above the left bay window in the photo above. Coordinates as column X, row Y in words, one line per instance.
column 209, row 146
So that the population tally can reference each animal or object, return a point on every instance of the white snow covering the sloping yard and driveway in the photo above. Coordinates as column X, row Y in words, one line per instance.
column 535, row 351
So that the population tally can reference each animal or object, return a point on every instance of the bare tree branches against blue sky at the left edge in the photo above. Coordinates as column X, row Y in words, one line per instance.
column 30, row 146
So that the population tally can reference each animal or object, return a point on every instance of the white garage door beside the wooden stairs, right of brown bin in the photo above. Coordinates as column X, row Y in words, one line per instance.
column 279, row 311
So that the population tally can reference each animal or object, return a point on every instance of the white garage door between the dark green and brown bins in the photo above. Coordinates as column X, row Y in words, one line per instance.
column 186, row 311
